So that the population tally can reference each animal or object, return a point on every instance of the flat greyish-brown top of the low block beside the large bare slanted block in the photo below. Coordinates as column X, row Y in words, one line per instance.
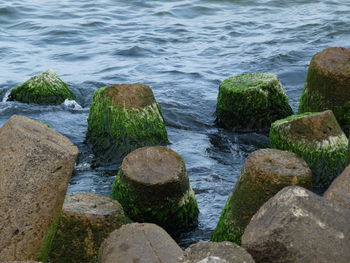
column 90, row 204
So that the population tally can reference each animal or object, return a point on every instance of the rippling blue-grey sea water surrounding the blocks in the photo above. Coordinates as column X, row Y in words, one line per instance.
column 182, row 49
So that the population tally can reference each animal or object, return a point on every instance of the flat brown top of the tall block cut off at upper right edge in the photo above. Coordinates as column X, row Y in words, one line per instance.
column 334, row 60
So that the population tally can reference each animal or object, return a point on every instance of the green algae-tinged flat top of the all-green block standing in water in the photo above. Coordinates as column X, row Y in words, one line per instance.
column 249, row 80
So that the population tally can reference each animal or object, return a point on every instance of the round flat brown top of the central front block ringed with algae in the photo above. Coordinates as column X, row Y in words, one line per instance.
column 153, row 165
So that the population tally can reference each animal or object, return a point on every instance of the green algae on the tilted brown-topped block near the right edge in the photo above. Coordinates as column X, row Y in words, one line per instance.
column 326, row 161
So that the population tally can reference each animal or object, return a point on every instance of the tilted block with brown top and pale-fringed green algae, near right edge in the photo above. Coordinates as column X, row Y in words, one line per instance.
column 318, row 139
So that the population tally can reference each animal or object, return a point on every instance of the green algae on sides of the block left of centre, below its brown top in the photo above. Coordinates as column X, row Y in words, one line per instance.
column 114, row 131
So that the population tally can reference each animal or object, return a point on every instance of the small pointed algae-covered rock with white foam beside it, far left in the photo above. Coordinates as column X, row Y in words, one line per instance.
column 46, row 88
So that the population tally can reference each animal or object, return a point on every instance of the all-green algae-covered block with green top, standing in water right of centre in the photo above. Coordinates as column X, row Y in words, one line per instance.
column 251, row 102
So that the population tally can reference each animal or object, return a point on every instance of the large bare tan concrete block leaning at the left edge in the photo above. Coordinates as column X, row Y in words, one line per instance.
column 36, row 164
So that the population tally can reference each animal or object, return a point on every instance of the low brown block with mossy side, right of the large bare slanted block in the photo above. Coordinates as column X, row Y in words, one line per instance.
column 86, row 220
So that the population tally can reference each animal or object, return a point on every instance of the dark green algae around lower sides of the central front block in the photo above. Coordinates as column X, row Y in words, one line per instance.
column 173, row 214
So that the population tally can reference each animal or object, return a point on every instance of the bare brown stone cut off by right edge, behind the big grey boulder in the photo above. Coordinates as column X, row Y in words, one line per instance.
column 339, row 190
